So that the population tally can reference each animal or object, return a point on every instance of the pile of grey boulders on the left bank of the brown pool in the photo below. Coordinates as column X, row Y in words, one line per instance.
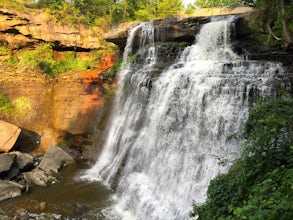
column 21, row 172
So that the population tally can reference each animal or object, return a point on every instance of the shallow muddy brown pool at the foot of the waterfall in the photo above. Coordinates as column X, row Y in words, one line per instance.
column 69, row 198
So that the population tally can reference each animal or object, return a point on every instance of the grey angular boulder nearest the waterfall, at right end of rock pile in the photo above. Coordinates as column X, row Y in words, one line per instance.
column 54, row 159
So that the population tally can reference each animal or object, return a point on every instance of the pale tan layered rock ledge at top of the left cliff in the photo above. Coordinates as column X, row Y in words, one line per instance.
column 19, row 29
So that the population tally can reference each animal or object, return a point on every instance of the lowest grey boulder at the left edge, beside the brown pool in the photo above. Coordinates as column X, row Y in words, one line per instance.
column 9, row 189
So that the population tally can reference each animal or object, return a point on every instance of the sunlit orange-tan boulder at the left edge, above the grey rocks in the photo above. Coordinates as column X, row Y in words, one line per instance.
column 9, row 134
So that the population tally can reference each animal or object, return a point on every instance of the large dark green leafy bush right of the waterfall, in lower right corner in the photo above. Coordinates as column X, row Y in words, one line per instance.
column 259, row 183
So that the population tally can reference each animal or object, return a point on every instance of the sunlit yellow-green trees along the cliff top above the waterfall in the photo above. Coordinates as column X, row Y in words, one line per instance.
column 90, row 12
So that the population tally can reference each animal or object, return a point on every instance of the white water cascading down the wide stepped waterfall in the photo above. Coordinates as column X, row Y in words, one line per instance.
column 164, row 139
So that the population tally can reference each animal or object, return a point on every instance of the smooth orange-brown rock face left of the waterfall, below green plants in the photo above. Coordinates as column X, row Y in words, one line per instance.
column 68, row 104
